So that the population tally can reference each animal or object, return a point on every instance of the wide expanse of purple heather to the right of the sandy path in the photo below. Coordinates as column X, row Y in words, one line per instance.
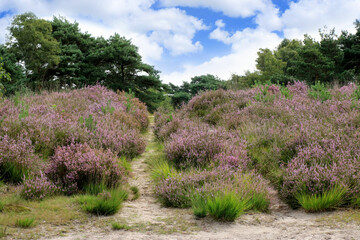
column 302, row 139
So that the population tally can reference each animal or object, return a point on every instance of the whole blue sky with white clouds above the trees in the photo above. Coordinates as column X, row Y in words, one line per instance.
column 185, row 38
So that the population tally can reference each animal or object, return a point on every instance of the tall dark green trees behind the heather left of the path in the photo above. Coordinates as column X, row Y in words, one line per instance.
column 52, row 55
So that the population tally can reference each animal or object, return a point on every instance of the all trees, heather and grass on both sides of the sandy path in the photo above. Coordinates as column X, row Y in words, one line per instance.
column 74, row 110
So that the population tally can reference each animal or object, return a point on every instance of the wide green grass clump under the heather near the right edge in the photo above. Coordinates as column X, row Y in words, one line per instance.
column 321, row 202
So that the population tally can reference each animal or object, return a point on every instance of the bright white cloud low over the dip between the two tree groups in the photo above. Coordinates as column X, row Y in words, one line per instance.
column 245, row 45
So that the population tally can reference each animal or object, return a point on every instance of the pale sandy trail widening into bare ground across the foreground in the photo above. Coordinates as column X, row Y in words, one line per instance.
column 148, row 220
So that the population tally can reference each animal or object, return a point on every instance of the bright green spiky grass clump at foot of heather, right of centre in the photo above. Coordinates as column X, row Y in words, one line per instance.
column 226, row 207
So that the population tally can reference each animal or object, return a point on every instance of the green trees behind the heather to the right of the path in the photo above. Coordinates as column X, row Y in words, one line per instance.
column 331, row 60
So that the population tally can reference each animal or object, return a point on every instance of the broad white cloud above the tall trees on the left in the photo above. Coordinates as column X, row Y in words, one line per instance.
column 151, row 30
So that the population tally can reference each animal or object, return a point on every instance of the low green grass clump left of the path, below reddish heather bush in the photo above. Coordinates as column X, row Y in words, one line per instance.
column 107, row 203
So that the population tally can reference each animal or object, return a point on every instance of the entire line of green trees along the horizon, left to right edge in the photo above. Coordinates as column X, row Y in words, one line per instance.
column 52, row 55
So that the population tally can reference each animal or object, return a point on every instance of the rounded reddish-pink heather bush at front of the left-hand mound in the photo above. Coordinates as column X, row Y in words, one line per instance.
column 76, row 165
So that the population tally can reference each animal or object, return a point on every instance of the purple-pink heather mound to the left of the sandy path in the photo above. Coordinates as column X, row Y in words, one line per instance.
column 61, row 142
